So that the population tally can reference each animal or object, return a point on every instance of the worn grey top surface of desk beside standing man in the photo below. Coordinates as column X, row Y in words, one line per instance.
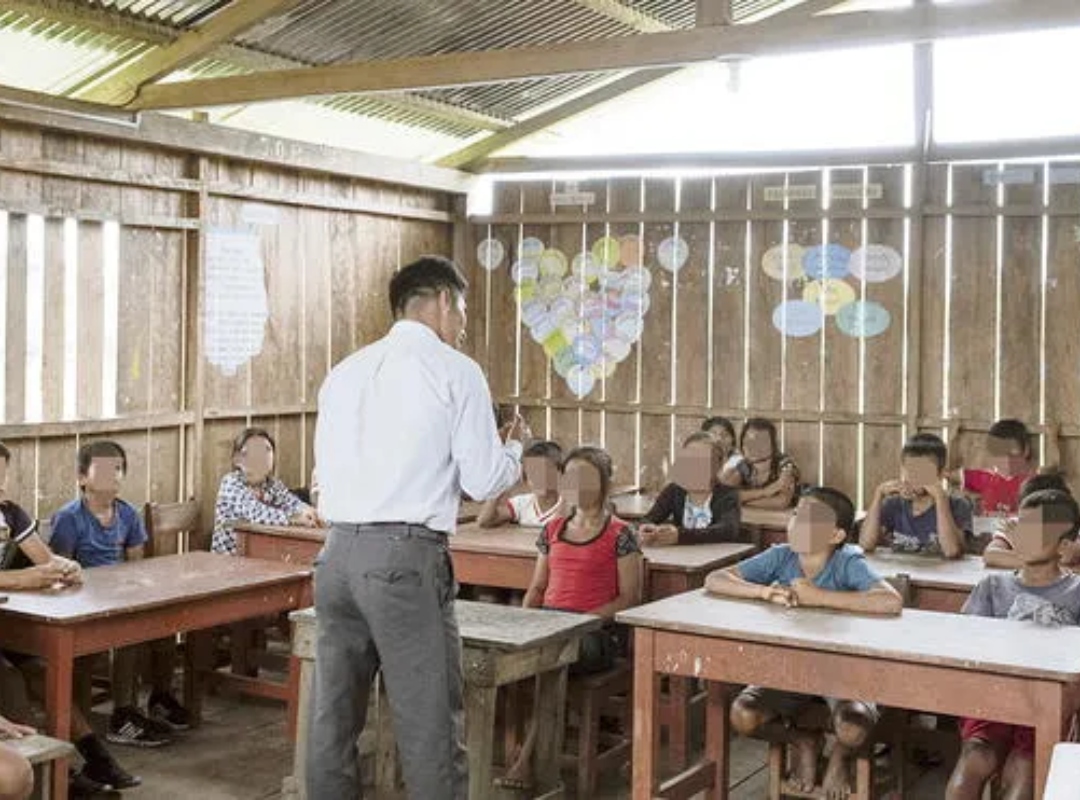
column 494, row 627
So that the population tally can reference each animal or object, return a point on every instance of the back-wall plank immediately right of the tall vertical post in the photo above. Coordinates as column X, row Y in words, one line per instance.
column 973, row 346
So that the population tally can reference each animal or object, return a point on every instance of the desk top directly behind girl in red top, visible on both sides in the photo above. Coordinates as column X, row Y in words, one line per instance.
column 520, row 541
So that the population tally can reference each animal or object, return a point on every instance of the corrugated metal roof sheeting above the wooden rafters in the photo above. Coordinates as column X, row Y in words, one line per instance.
column 332, row 32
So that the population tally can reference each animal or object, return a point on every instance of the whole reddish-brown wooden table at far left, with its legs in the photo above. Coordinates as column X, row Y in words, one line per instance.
column 140, row 602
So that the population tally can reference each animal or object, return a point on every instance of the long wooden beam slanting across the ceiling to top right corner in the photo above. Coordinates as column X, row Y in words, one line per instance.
column 645, row 51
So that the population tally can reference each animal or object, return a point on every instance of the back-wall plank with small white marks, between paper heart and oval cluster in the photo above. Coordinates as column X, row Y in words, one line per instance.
column 730, row 293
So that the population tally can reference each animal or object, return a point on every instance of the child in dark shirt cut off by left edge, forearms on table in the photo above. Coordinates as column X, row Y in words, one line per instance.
column 47, row 571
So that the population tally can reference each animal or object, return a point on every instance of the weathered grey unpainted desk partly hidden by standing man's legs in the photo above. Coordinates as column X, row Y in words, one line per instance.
column 501, row 645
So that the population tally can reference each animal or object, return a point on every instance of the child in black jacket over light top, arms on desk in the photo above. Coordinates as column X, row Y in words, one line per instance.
column 695, row 508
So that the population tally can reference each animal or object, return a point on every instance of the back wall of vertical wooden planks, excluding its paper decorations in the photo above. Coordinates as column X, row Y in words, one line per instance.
column 991, row 280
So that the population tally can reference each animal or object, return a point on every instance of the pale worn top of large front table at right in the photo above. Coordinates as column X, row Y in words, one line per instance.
column 978, row 644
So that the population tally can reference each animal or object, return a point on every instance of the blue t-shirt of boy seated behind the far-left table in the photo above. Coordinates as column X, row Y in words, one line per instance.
column 78, row 534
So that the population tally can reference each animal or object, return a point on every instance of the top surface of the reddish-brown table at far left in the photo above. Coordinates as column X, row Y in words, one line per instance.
column 147, row 585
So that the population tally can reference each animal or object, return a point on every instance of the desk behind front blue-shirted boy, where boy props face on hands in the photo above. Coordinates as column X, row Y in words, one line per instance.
column 938, row 585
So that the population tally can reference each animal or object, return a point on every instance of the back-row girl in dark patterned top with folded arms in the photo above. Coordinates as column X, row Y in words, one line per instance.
column 766, row 478
